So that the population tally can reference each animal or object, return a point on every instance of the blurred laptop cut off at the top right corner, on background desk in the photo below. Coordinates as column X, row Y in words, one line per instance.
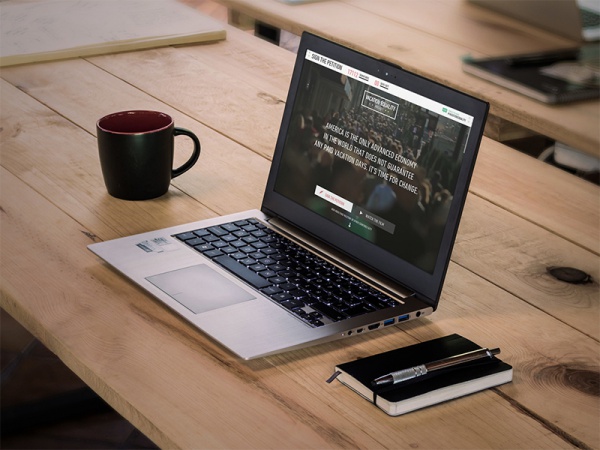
column 575, row 19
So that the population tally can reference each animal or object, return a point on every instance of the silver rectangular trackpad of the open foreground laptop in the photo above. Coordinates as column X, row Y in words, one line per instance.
column 200, row 288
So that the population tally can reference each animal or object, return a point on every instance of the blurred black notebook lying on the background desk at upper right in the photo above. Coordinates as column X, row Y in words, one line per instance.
column 550, row 77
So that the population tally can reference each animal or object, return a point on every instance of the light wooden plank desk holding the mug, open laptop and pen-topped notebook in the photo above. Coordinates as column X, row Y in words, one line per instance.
column 182, row 389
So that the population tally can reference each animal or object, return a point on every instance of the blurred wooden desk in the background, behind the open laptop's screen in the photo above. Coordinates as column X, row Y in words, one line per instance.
column 430, row 37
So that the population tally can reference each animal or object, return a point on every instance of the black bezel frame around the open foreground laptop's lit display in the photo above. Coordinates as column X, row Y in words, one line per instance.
column 427, row 286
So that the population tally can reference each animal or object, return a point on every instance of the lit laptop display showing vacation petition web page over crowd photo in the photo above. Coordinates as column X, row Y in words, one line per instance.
column 380, row 161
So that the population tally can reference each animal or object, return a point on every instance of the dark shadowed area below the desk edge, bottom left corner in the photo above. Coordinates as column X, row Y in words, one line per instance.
column 50, row 405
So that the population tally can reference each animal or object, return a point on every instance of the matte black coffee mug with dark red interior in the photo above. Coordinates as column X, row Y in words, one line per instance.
column 136, row 151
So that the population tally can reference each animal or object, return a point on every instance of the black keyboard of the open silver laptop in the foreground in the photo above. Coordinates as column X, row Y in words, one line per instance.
column 313, row 289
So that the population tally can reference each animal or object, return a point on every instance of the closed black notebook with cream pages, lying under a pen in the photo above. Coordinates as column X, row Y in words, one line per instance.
column 434, row 387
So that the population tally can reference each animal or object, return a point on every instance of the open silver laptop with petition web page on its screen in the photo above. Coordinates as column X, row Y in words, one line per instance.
column 360, row 212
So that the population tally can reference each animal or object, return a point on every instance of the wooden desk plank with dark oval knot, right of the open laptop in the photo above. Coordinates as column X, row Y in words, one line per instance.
column 514, row 254
